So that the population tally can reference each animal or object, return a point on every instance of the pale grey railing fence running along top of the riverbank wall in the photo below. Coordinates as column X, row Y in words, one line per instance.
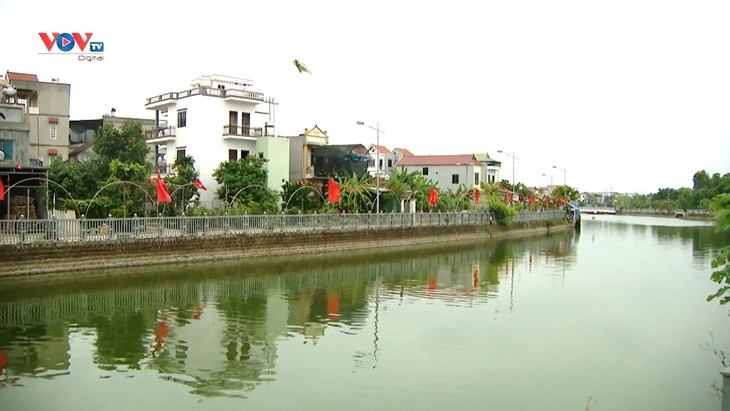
column 54, row 230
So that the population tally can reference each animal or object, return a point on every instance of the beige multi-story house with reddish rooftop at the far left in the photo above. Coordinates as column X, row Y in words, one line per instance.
column 46, row 110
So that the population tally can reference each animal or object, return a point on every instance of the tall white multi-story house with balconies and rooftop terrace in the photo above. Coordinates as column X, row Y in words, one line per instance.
column 217, row 119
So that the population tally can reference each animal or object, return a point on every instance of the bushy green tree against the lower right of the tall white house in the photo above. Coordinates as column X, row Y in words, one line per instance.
column 246, row 181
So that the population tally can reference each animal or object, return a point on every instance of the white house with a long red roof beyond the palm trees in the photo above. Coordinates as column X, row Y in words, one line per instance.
column 448, row 171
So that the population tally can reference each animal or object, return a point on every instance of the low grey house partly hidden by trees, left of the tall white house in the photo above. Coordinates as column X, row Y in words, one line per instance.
column 81, row 134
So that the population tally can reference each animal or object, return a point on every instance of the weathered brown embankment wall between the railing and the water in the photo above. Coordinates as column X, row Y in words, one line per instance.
column 33, row 259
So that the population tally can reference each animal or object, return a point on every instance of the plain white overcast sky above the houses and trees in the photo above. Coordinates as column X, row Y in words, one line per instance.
column 625, row 95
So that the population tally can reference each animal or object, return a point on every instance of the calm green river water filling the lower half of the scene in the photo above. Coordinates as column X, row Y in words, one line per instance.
column 613, row 318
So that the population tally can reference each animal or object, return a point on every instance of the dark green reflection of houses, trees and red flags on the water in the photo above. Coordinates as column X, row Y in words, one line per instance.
column 217, row 329
